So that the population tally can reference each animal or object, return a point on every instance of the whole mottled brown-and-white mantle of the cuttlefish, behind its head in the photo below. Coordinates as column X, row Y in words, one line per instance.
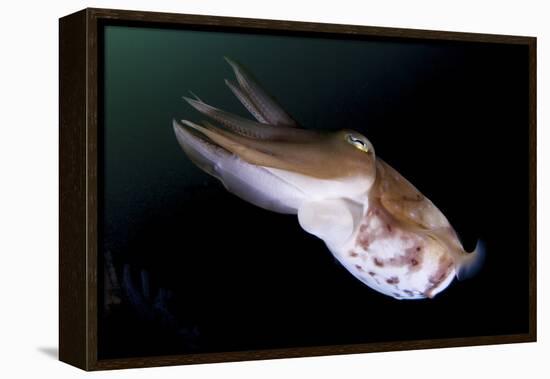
column 402, row 260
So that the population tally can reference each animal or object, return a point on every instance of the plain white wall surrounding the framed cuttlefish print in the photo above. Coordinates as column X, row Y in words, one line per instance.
column 28, row 187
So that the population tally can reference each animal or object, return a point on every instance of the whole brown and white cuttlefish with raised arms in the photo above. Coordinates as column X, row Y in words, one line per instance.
column 374, row 221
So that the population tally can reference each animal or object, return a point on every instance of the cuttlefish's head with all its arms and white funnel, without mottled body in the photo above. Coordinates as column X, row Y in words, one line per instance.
column 273, row 163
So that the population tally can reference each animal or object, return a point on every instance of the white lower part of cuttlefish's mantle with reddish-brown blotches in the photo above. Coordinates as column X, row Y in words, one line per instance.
column 394, row 261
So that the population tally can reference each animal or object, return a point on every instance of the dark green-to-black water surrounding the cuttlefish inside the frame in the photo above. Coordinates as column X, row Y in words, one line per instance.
column 198, row 270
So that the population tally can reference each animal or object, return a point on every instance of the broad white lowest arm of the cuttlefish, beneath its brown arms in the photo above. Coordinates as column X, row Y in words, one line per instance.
column 251, row 183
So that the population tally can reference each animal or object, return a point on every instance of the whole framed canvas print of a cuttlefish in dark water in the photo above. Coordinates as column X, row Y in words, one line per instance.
column 238, row 189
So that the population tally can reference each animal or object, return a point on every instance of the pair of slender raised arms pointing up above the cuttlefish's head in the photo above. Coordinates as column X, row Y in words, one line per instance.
column 256, row 100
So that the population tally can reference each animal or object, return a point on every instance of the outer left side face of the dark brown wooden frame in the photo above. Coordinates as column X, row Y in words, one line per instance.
column 72, row 182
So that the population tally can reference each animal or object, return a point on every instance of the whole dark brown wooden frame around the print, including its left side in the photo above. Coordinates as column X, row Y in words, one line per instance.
column 78, row 196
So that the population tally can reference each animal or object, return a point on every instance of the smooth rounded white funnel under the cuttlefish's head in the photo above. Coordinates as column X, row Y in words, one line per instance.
column 332, row 220
